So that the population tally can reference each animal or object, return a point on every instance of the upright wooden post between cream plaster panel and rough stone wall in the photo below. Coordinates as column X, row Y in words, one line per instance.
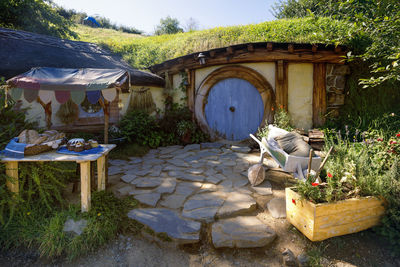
column 319, row 94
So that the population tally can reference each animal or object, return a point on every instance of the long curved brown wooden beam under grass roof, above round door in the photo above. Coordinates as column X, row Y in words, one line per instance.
column 259, row 55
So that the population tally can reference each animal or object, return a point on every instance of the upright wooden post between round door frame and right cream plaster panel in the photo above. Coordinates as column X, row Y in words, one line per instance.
column 281, row 84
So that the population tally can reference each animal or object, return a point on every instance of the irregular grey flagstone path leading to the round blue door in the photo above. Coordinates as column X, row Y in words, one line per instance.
column 181, row 188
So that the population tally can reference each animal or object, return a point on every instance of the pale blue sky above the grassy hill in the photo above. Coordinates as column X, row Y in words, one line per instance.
column 146, row 14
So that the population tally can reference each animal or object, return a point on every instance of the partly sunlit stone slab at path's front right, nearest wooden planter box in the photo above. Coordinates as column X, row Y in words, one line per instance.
column 241, row 232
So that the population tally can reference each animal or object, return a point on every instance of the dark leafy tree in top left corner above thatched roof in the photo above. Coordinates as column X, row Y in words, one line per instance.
column 35, row 16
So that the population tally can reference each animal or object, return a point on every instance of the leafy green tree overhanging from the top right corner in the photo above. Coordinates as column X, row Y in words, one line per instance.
column 376, row 21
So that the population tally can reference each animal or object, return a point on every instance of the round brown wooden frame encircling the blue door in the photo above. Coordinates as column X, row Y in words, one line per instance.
column 240, row 72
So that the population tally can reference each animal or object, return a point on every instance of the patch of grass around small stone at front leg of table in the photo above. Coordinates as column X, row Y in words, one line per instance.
column 107, row 218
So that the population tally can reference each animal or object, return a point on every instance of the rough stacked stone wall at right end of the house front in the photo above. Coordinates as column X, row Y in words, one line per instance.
column 335, row 84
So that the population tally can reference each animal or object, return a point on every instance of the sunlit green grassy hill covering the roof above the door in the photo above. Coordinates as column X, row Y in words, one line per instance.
column 142, row 52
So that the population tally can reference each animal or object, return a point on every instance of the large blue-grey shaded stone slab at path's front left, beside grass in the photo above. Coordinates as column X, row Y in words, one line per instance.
column 168, row 222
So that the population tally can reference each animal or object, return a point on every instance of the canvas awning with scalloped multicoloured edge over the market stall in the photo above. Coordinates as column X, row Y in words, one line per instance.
column 67, row 84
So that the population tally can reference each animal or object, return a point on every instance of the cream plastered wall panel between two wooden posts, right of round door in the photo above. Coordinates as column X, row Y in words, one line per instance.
column 300, row 92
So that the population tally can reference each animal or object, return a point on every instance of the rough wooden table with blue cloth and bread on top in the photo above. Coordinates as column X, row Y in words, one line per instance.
column 84, row 161
